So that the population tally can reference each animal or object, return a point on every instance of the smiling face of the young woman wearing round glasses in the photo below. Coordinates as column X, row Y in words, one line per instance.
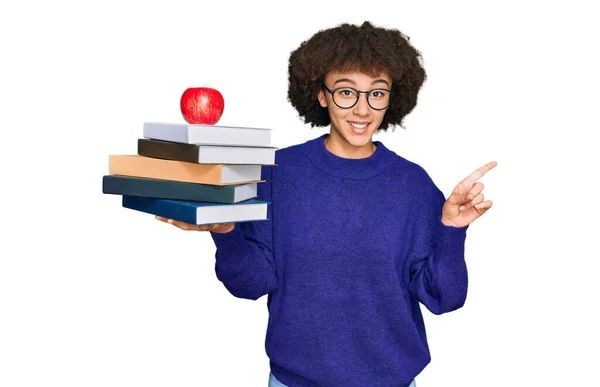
column 352, row 129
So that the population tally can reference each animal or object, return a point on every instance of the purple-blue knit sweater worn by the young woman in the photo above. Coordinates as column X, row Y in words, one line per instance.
column 352, row 247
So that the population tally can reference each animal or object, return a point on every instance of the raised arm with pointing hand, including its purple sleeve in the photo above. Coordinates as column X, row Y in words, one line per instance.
column 438, row 272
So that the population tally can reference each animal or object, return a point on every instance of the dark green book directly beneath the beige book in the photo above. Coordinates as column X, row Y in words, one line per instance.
column 177, row 190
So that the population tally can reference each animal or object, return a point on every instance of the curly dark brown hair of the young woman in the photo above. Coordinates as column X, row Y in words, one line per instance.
column 348, row 48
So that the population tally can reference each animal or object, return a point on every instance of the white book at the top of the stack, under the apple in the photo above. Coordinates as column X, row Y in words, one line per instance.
column 208, row 134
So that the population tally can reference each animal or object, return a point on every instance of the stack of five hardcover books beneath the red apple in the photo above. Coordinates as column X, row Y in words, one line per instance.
column 194, row 173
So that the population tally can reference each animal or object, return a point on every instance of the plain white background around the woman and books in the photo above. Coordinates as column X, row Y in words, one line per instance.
column 92, row 294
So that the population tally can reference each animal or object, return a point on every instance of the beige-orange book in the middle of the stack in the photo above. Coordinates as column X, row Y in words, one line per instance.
column 155, row 168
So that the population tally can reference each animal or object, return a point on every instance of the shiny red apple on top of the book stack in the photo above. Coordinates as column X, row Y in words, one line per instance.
column 202, row 105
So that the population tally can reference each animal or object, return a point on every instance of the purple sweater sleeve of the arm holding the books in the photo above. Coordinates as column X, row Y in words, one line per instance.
column 244, row 256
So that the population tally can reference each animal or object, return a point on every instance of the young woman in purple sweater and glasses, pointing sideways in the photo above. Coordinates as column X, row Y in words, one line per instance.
column 358, row 236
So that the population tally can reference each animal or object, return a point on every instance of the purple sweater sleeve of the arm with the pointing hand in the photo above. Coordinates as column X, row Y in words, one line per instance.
column 437, row 272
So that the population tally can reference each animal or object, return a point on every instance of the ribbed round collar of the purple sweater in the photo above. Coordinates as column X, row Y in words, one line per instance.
column 356, row 169
